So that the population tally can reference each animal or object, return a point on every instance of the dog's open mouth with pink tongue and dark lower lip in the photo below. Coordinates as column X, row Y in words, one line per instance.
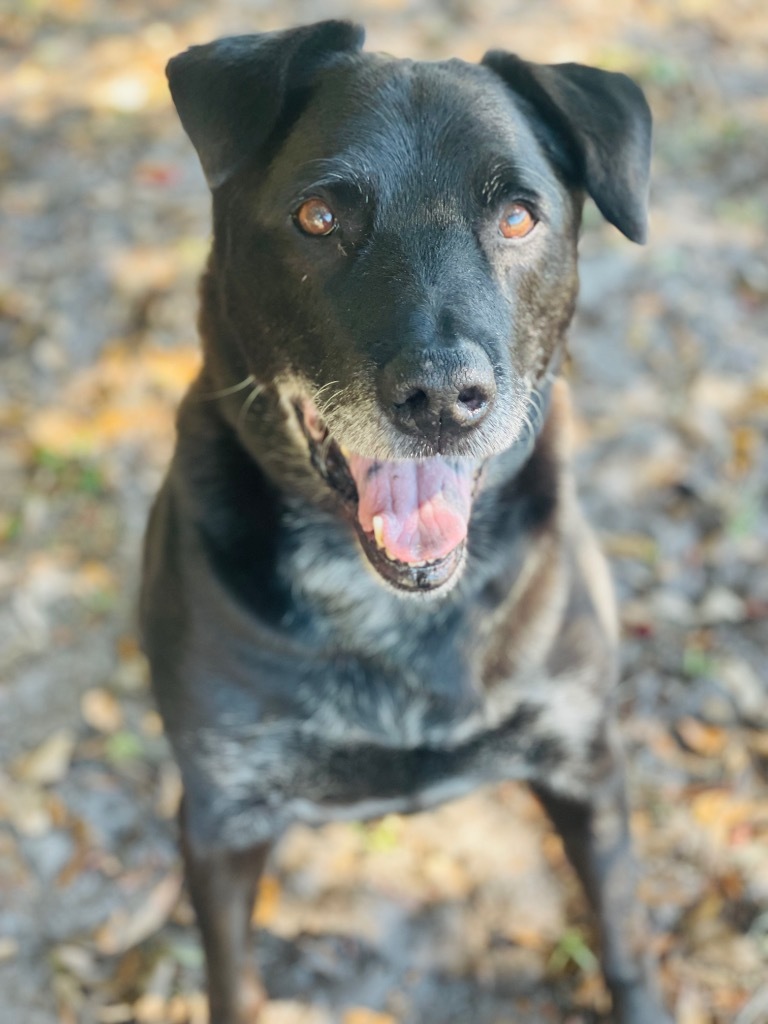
column 412, row 516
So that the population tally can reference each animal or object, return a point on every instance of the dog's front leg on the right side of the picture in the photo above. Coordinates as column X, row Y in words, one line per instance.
column 596, row 837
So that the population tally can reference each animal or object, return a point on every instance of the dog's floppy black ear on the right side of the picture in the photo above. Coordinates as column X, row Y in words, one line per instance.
column 606, row 124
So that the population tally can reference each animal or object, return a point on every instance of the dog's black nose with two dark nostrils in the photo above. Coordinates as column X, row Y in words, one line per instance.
column 439, row 394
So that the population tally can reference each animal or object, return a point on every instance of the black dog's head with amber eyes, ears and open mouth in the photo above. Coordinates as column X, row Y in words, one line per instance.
column 396, row 246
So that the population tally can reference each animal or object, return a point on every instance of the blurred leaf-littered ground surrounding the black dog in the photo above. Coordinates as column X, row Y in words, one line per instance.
column 470, row 914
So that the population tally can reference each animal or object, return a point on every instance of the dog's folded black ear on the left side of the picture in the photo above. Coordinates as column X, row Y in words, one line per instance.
column 230, row 95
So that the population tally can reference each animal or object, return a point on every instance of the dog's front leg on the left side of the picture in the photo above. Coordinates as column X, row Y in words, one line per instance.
column 223, row 887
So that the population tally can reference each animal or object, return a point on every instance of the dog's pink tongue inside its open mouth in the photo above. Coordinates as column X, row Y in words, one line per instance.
column 417, row 509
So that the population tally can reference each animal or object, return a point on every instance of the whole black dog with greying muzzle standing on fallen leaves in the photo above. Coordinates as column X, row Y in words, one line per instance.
column 368, row 586
